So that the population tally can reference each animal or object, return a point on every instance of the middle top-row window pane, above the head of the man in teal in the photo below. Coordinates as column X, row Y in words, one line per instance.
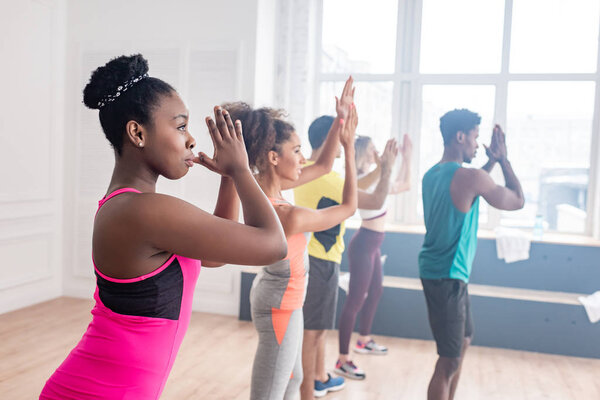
column 462, row 36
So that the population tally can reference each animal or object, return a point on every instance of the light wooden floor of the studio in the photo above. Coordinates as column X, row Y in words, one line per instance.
column 215, row 361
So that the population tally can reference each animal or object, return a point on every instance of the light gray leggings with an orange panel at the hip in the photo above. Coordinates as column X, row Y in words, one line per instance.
column 277, row 369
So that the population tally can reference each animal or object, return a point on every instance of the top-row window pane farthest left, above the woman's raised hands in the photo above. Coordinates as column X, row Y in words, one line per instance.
column 359, row 36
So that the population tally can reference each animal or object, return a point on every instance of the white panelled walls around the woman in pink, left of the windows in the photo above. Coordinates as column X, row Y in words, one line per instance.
column 54, row 159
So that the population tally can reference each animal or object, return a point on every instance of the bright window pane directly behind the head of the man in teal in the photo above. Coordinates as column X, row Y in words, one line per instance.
column 439, row 99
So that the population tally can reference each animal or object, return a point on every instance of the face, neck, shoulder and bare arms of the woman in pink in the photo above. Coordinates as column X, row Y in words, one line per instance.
column 136, row 233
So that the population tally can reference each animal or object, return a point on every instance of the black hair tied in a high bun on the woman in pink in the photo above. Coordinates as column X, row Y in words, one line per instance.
column 137, row 103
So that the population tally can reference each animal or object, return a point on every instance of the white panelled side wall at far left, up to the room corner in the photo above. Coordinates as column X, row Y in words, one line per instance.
column 31, row 131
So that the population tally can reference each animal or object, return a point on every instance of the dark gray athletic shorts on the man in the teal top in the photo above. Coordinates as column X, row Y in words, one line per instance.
column 449, row 310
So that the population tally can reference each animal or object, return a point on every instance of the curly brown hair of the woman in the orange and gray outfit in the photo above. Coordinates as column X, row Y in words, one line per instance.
column 264, row 130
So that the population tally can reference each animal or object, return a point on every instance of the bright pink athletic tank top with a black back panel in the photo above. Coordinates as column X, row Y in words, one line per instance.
column 137, row 327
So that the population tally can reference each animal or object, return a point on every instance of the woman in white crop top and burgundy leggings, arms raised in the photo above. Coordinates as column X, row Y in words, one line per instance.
column 364, row 255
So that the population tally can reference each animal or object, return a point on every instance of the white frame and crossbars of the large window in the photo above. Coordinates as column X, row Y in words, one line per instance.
column 408, row 83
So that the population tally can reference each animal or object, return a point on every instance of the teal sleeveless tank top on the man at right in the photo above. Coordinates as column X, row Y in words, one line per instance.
column 451, row 237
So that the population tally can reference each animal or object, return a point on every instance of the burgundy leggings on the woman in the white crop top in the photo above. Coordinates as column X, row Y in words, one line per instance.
column 366, row 284
